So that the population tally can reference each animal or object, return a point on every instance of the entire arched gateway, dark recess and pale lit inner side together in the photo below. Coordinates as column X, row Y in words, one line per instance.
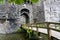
column 25, row 15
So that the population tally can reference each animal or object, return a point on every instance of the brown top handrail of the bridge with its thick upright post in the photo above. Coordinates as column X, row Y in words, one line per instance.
column 47, row 26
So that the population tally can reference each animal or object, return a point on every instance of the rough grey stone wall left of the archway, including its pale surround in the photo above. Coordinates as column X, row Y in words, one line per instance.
column 13, row 17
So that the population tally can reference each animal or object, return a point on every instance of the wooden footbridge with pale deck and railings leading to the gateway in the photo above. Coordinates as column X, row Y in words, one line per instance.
column 49, row 28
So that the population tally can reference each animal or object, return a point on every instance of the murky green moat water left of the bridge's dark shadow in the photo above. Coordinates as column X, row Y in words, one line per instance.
column 16, row 36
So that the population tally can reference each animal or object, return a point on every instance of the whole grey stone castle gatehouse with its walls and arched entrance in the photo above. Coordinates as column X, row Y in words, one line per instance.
column 12, row 15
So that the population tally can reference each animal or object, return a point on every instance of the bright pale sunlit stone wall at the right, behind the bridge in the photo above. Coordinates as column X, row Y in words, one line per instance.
column 52, row 10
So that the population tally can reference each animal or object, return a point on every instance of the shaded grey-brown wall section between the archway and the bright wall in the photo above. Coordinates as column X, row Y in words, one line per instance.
column 38, row 12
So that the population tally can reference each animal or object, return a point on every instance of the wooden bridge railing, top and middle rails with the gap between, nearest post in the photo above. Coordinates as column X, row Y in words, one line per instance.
column 48, row 25
